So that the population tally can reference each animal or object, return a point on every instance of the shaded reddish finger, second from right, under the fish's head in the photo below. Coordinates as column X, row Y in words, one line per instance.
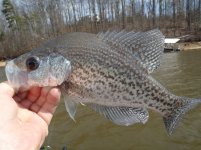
column 41, row 100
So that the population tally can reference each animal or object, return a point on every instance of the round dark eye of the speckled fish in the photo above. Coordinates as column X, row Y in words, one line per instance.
column 32, row 63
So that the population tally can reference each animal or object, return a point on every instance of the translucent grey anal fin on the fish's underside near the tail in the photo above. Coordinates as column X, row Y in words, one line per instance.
column 122, row 115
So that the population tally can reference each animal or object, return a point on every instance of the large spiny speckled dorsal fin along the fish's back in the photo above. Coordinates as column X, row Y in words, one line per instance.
column 146, row 47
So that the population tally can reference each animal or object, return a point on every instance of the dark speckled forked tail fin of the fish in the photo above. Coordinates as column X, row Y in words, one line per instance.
column 171, row 120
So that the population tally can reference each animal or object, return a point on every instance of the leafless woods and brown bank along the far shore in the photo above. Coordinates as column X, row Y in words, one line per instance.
column 25, row 24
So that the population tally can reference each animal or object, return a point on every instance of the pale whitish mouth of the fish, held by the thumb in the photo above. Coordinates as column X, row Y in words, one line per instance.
column 16, row 77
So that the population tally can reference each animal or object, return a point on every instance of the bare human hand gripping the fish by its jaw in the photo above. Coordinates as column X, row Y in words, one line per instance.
column 24, row 117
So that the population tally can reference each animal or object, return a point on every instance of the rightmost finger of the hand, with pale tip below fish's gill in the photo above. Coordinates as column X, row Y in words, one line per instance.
column 49, row 107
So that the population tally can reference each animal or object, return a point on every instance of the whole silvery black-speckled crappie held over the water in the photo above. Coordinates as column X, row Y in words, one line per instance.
column 109, row 72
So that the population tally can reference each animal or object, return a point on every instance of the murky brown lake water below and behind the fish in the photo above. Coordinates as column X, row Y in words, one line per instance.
column 180, row 73
